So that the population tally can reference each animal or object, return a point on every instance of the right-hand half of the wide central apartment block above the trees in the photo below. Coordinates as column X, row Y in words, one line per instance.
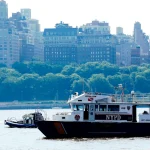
column 92, row 48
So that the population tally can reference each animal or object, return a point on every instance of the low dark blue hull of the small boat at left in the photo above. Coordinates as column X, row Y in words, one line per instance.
column 19, row 125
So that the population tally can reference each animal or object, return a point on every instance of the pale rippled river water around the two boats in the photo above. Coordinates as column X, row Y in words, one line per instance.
column 33, row 139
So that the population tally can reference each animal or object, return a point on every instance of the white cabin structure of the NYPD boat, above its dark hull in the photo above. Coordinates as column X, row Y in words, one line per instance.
column 100, row 108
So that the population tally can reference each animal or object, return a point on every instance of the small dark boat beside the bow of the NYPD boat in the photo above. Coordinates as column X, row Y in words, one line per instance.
column 28, row 121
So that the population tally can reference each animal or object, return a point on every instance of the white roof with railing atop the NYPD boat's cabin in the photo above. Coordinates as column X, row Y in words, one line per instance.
column 91, row 97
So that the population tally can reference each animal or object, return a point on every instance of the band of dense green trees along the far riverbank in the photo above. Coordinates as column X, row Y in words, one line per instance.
column 30, row 81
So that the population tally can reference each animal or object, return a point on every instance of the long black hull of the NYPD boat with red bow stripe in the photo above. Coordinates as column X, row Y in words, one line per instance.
column 58, row 129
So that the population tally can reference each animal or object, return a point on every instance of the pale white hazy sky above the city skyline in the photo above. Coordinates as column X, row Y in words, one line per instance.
column 77, row 12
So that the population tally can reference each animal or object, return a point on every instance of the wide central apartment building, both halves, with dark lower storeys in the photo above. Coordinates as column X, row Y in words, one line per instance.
column 65, row 45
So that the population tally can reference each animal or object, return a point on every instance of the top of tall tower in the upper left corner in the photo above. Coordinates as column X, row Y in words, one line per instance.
column 3, row 10
